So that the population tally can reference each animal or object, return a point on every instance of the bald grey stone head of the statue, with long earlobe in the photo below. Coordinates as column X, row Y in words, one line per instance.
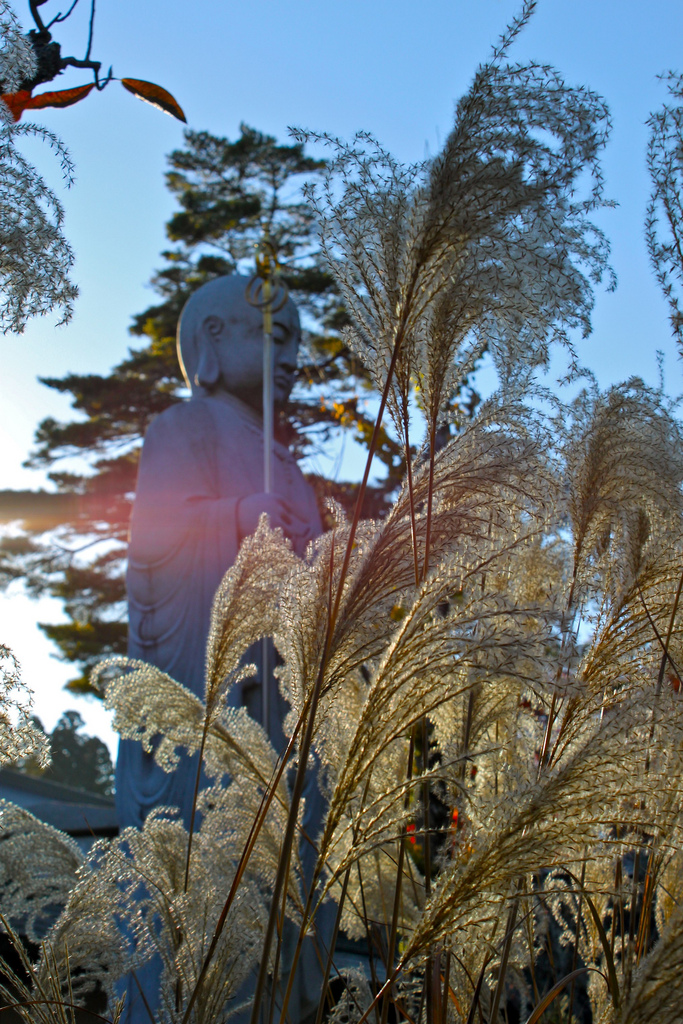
column 221, row 343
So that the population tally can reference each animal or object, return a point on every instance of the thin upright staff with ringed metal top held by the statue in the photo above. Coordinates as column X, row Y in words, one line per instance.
column 270, row 296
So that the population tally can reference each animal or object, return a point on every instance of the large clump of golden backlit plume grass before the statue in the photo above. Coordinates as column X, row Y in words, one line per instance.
column 485, row 684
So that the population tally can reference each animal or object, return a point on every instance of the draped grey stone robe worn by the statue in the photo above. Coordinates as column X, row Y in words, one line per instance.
column 199, row 459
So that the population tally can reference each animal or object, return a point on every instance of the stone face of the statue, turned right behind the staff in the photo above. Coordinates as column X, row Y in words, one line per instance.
column 239, row 347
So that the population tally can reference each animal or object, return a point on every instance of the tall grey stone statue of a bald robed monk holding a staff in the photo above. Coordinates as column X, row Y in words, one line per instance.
column 200, row 493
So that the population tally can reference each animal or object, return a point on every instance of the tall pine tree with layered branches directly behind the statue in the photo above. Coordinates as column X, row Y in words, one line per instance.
column 227, row 192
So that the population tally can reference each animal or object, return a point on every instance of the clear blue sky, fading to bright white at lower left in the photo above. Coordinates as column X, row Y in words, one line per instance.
column 393, row 67
